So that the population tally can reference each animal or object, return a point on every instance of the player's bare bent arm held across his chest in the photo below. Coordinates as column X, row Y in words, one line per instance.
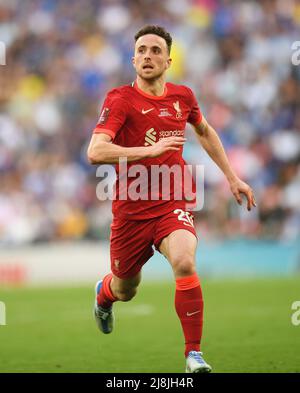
column 102, row 151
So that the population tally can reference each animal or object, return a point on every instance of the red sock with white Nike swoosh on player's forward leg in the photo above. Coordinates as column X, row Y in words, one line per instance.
column 189, row 308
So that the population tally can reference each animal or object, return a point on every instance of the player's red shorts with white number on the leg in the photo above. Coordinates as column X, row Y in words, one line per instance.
column 131, row 241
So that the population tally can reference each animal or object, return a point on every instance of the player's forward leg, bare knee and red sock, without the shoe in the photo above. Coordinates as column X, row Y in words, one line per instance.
column 179, row 248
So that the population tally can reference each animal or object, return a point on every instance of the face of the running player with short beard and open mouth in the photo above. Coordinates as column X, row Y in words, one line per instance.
column 151, row 58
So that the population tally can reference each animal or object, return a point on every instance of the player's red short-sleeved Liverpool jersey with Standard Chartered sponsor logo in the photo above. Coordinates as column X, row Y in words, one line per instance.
column 134, row 118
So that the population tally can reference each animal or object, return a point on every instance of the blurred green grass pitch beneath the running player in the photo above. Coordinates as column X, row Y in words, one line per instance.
column 247, row 329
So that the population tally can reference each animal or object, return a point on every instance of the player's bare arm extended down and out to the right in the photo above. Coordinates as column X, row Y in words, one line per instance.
column 211, row 142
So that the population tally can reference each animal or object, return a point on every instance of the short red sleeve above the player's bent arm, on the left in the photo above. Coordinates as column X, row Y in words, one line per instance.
column 112, row 116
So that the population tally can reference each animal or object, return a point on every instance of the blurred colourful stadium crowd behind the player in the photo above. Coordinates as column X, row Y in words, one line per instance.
column 62, row 57
